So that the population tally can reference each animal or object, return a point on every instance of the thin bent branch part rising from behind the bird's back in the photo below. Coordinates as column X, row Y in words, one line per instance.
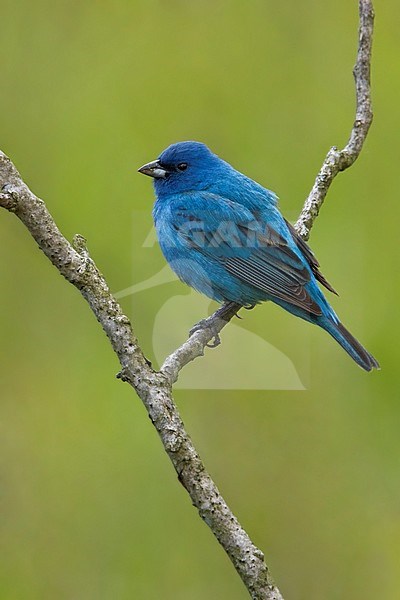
column 339, row 160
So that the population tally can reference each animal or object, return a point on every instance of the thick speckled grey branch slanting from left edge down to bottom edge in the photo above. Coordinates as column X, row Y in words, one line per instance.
column 154, row 389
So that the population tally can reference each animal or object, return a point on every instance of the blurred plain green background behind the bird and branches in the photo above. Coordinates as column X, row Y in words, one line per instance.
column 90, row 505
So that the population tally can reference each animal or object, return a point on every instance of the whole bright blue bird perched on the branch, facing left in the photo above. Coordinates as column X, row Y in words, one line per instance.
column 223, row 234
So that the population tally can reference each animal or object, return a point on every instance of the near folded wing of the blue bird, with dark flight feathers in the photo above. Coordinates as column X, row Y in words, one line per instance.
column 253, row 252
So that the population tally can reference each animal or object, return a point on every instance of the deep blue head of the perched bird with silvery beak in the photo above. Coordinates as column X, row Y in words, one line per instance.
column 183, row 167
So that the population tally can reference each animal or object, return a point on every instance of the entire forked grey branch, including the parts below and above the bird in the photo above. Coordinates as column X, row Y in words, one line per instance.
column 154, row 388
